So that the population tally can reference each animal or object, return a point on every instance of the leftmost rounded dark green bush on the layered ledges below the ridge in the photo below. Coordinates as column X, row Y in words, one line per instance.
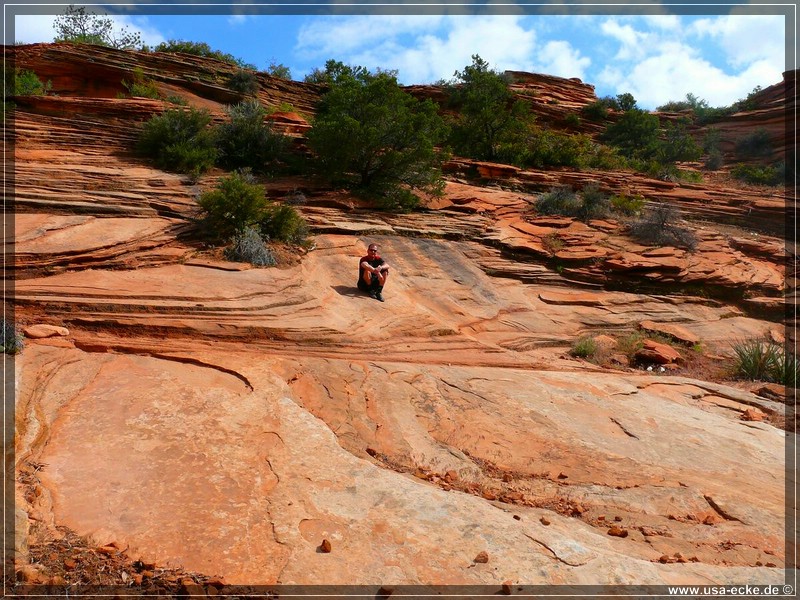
column 179, row 140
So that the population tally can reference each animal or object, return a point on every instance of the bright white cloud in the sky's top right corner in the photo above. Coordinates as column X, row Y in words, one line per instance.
column 746, row 39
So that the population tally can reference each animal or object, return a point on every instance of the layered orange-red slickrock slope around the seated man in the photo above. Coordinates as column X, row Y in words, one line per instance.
column 227, row 420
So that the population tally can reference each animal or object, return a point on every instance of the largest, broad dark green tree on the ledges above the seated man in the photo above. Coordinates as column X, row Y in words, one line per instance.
column 370, row 134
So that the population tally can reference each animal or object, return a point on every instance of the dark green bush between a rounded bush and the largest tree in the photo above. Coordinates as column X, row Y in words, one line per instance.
column 246, row 141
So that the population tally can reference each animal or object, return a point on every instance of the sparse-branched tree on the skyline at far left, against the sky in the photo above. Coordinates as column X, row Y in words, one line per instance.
column 77, row 25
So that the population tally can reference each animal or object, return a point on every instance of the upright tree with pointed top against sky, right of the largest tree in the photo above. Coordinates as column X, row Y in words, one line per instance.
column 488, row 114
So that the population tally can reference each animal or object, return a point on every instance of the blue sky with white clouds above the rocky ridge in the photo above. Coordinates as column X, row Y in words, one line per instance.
column 656, row 57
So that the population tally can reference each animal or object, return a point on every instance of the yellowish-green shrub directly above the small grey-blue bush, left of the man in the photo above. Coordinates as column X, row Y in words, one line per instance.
column 235, row 204
